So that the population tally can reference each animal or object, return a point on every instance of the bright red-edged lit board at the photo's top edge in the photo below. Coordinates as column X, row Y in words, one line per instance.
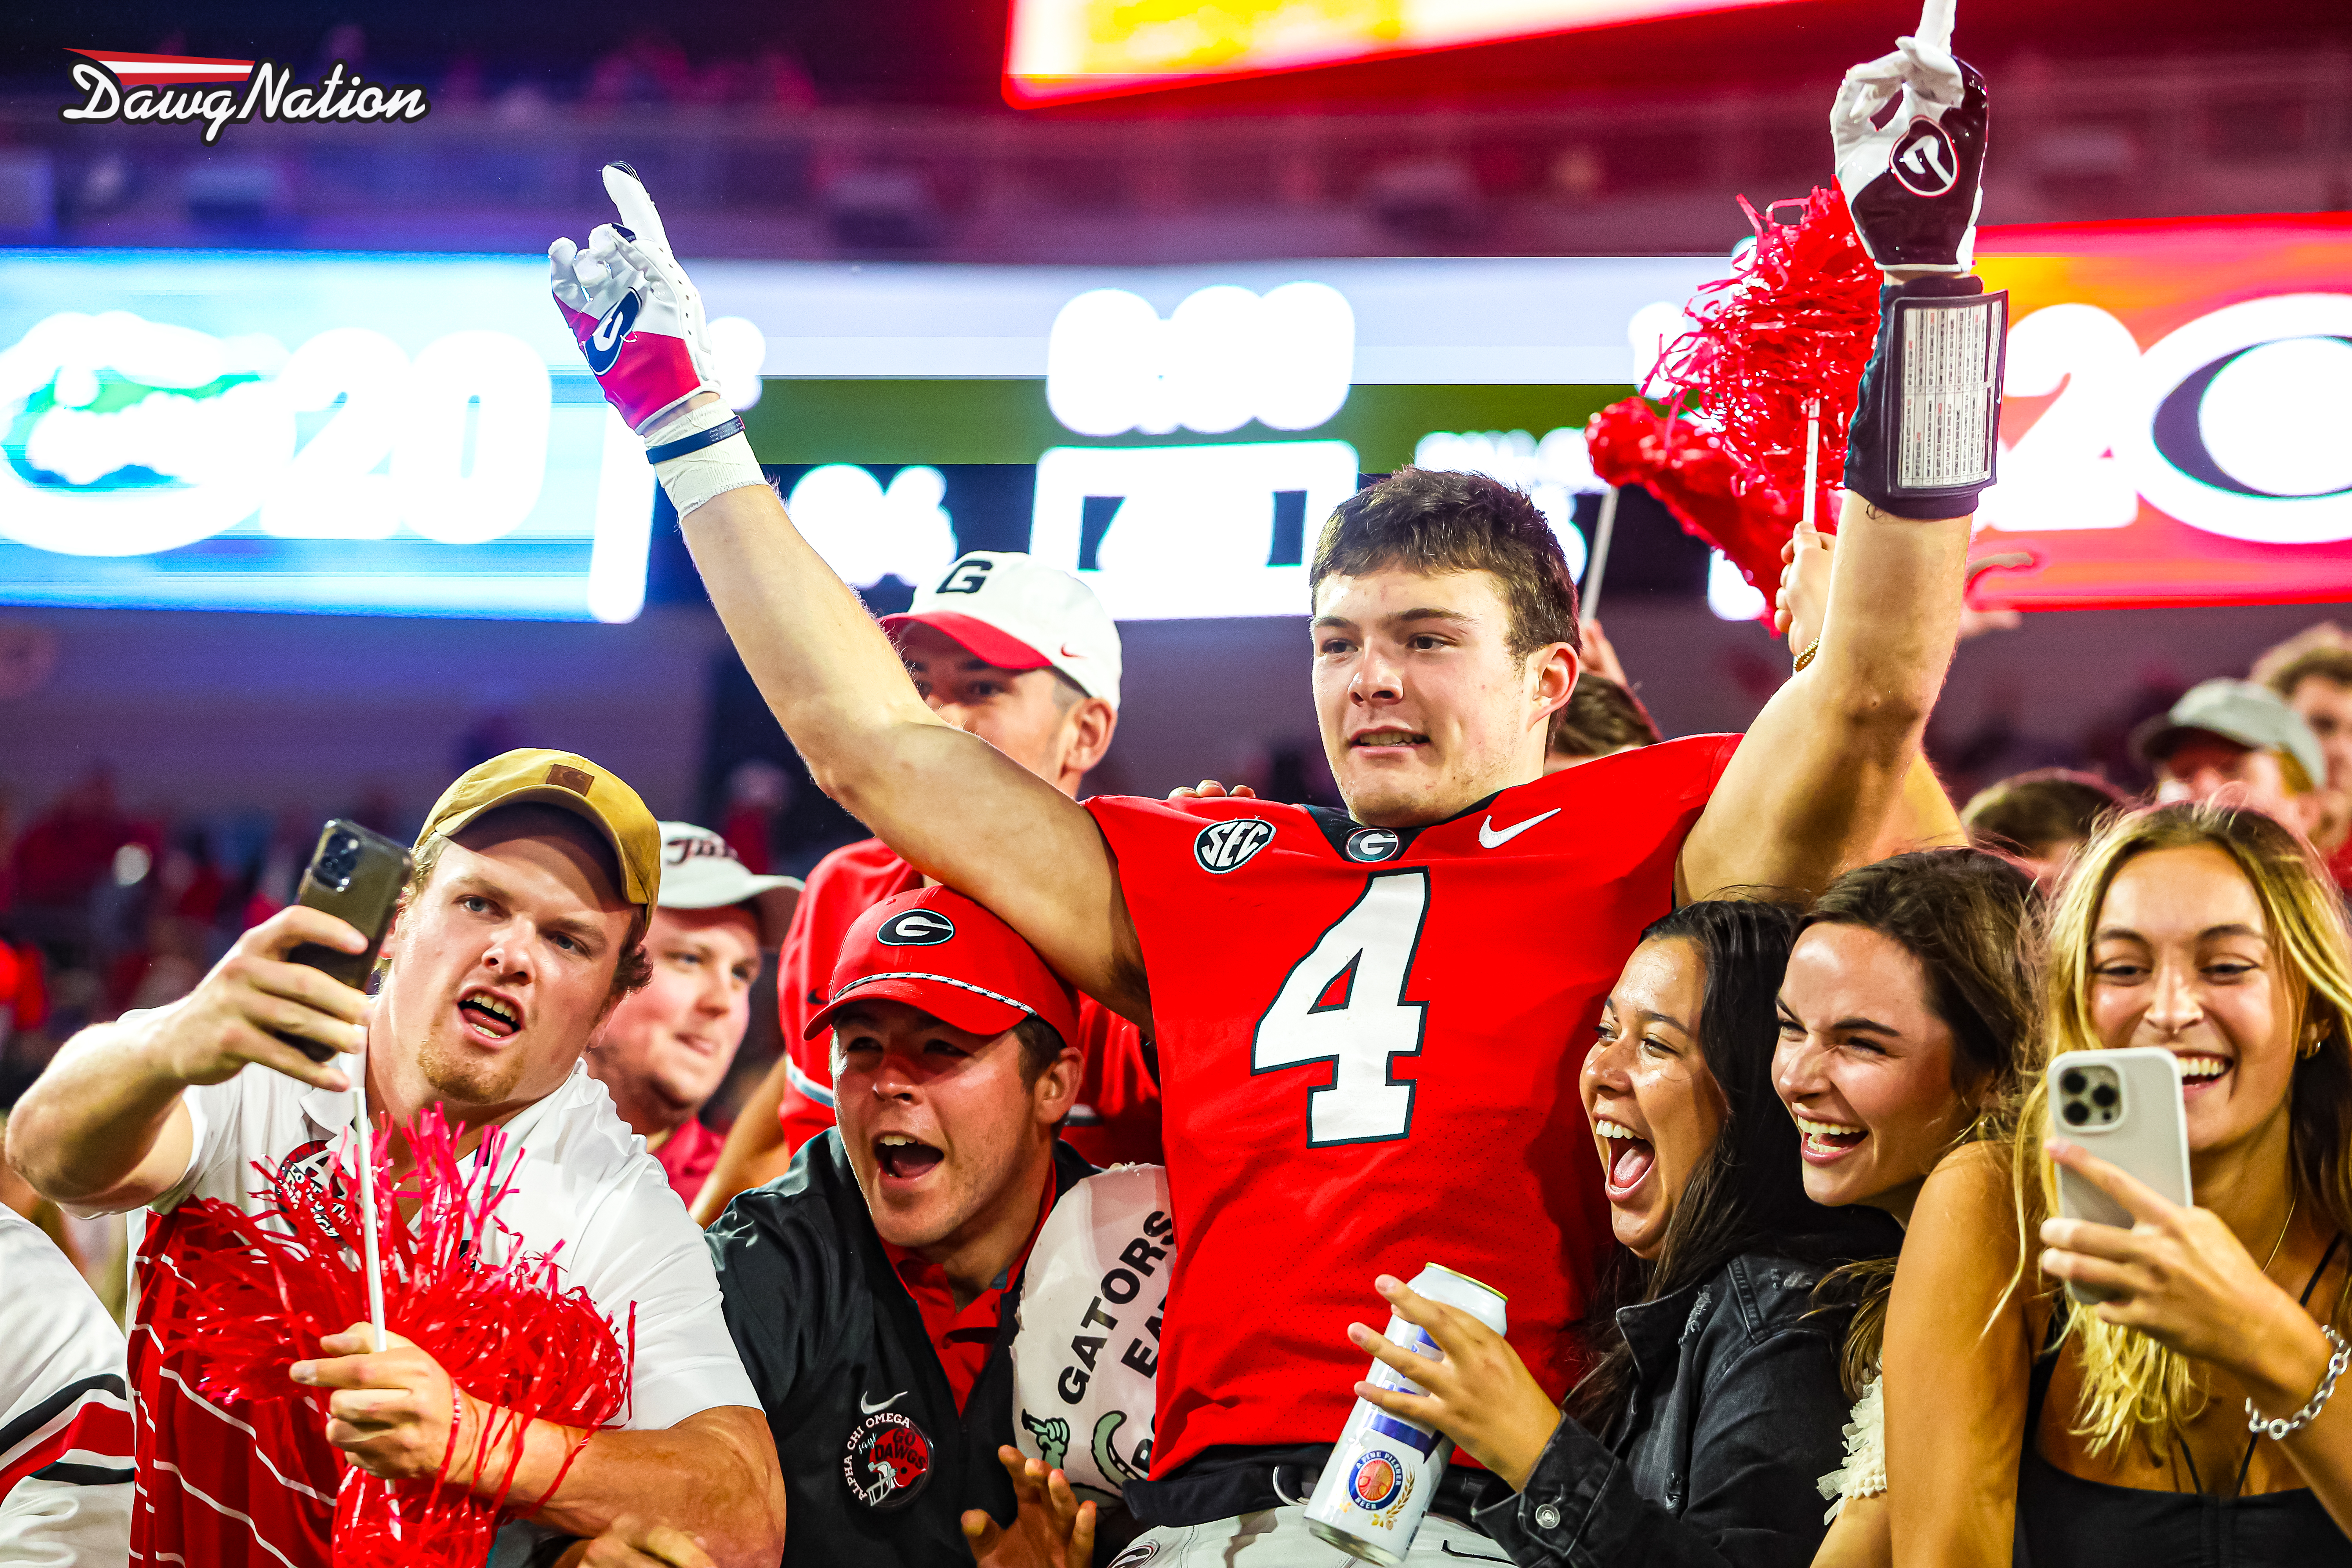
column 1069, row 51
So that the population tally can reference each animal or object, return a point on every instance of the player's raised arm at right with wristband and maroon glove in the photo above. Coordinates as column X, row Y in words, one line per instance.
column 1824, row 765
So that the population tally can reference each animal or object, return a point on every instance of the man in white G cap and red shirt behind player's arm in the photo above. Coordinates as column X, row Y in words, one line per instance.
column 1027, row 659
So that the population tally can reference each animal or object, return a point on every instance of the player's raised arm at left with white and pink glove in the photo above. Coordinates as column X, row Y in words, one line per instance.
column 942, row 798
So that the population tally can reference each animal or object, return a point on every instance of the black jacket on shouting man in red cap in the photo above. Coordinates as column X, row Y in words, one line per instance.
column 878, row 1466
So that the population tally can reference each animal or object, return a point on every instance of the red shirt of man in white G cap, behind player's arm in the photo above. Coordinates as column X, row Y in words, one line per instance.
column 1118, row 1104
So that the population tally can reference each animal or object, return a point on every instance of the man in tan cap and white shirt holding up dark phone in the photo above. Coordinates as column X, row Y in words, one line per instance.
column 519, row 932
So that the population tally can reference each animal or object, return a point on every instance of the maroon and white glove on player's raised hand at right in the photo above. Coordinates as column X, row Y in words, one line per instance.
column 1918, row 182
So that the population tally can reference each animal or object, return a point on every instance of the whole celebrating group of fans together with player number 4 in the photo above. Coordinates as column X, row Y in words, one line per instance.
column 1725, row 1064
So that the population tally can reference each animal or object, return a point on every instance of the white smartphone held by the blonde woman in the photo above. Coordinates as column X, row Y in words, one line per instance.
column 2123, row 1106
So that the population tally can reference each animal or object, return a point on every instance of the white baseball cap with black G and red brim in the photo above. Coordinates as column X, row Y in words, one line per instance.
column 1022, row 615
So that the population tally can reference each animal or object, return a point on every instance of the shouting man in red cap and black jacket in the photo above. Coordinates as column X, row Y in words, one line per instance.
column 874, row 1287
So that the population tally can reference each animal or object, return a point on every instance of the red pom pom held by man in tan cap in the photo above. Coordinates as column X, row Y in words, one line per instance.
column 260, row 1294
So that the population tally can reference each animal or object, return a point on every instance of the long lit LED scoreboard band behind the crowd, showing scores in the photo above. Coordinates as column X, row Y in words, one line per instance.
column 417, row 434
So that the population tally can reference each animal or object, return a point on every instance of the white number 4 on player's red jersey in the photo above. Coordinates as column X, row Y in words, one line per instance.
column 1365, row 958
